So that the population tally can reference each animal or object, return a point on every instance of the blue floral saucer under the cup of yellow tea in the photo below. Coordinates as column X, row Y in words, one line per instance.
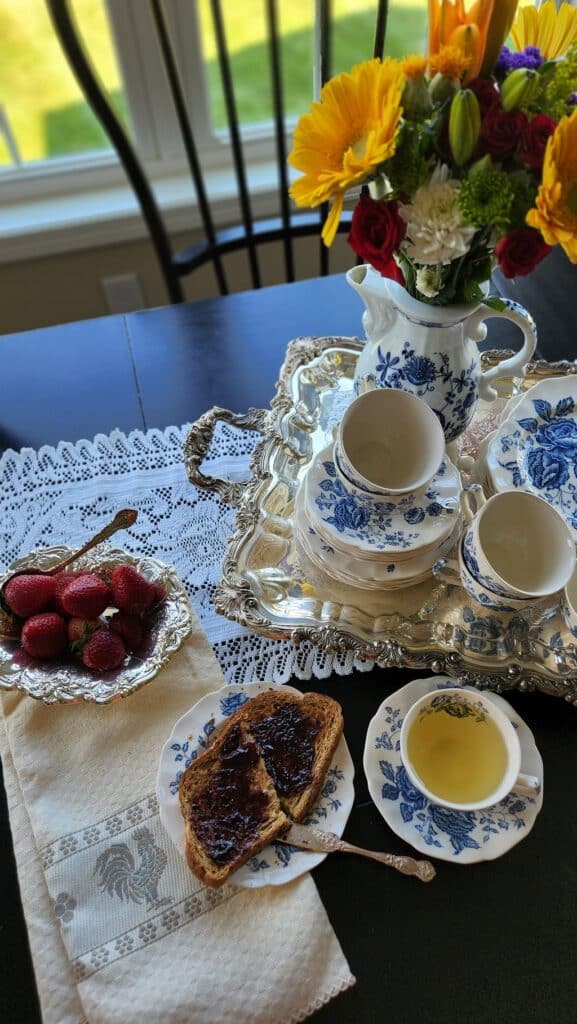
column 461, row 837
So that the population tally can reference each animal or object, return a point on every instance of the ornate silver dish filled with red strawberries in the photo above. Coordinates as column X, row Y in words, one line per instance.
column 96, row 632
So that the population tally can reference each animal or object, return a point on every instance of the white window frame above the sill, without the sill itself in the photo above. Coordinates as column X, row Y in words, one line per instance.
column 156, row 134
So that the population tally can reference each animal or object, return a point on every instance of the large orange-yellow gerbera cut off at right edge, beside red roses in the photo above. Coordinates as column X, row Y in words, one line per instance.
column 556, row 214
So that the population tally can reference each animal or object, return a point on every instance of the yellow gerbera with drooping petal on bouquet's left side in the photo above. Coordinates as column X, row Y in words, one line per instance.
column 348, row 135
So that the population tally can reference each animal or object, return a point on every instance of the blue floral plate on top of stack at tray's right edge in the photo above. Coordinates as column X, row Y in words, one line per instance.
column 535, row 448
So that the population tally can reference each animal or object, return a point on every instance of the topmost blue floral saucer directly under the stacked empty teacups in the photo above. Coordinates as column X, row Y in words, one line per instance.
column 380, row 527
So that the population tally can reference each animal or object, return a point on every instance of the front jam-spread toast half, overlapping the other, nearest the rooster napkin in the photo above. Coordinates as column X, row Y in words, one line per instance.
column 230, row 806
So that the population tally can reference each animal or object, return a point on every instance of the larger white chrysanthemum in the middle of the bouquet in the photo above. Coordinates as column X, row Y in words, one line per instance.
column 436, row 231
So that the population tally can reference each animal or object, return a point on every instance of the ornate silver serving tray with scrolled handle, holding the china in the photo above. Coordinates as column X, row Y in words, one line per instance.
column 271, row 587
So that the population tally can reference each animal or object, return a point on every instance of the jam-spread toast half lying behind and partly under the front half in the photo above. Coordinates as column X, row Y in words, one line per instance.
column 298, row 737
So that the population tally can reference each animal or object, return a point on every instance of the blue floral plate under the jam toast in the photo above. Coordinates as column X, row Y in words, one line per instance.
column 279, row 863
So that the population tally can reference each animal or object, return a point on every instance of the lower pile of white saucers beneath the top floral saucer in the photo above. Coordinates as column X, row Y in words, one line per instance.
column 369, row 575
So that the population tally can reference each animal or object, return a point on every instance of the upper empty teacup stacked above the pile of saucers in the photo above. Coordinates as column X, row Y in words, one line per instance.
column 390, row 443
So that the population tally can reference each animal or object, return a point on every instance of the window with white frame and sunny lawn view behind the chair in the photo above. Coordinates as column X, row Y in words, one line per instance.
column 53, row 152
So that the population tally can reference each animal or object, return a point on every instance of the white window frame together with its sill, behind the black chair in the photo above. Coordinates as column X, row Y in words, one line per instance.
column 86, row 200
